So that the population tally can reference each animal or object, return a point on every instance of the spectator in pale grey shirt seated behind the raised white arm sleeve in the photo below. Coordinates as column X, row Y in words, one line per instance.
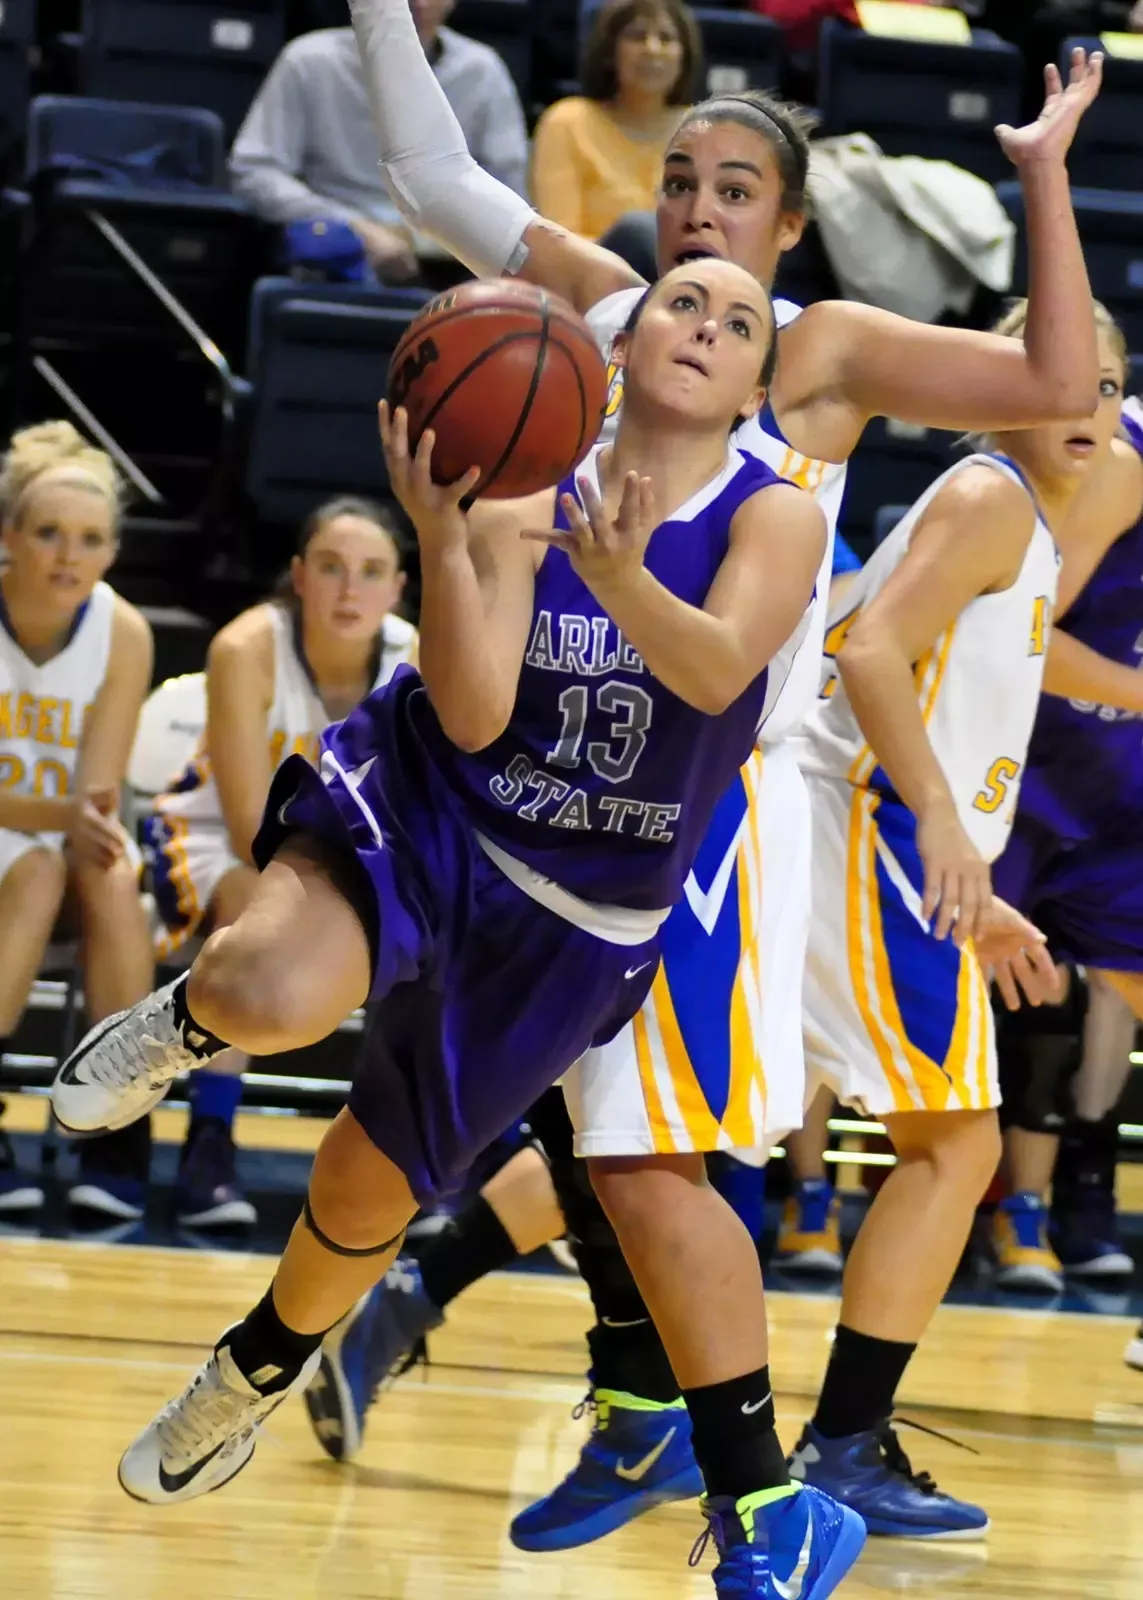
column 308, row 151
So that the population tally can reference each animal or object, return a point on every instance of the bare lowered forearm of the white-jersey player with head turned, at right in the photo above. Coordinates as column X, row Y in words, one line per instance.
column 884, row 698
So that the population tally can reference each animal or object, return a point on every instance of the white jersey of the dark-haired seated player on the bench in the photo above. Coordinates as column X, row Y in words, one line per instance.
column 295, row 722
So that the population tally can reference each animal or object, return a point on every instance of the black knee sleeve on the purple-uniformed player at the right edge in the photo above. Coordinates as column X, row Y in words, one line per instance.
column 1040, row 1050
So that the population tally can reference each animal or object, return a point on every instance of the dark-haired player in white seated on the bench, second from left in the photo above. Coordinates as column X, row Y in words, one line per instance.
column 276, row 676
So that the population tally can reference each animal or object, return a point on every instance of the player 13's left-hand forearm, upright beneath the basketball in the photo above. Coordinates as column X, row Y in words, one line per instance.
column 459, row 652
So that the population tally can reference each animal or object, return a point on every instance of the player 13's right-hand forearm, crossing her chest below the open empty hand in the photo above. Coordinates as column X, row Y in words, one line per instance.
column 696, row 655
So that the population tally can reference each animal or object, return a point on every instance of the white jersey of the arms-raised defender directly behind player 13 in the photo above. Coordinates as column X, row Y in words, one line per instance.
column 796, row 670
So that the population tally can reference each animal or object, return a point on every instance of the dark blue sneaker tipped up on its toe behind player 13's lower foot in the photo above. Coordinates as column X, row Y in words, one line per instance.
column 366, row 1353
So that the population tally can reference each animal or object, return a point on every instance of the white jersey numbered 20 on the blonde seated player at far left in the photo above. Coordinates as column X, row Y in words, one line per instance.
column 44, row 706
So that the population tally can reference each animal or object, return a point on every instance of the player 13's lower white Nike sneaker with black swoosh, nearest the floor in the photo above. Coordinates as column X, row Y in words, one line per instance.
column 206, row 1438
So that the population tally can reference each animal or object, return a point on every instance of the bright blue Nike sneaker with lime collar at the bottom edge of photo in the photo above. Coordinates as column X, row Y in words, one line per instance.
column 782, row 1545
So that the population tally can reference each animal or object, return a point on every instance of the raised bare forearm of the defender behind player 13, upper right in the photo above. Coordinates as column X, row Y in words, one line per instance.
column 1061, row 338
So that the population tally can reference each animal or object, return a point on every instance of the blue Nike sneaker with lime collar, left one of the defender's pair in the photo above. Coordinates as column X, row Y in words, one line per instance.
column 640, row 1457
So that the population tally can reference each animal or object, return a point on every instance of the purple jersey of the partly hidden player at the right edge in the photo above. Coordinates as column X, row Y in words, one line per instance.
column 1086, row 761
